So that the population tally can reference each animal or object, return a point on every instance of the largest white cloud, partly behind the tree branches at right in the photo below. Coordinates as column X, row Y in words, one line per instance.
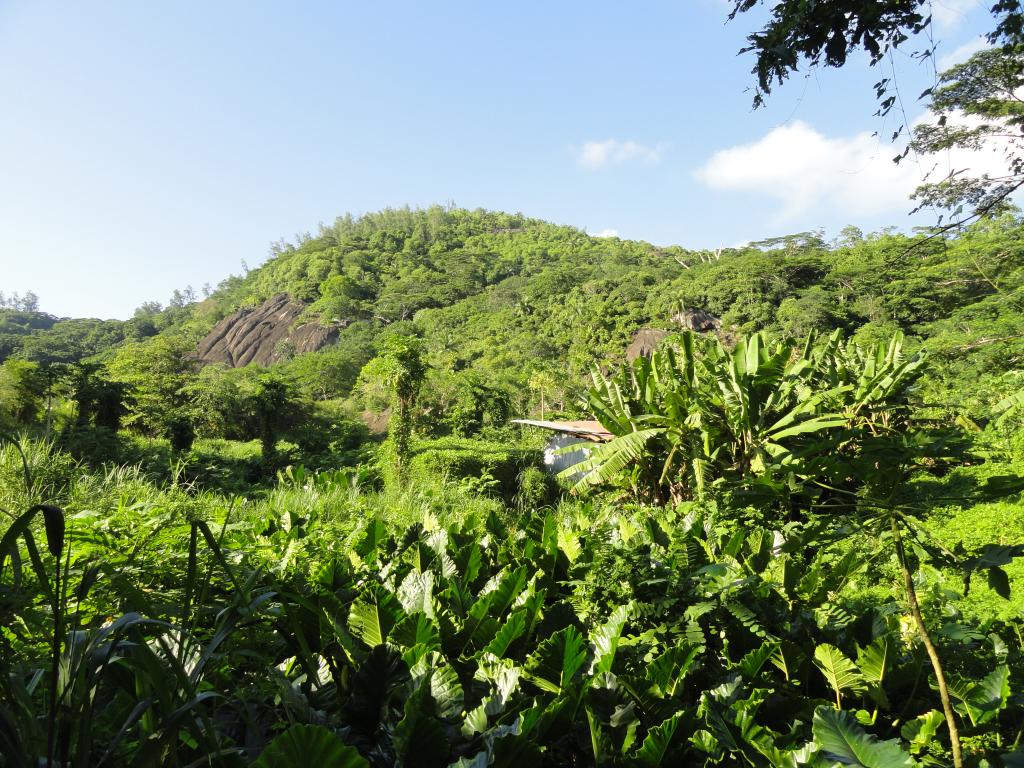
column 808, row 173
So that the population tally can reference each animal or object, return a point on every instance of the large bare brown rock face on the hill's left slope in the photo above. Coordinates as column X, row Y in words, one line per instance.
column 265, row 335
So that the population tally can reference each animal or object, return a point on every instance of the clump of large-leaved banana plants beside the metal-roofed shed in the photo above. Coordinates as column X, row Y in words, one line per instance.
column 762, row 418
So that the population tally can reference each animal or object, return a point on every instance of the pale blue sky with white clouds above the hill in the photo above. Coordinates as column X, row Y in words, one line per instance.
column 147, row 147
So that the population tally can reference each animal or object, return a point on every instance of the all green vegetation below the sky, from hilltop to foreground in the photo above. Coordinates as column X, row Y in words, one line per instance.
column 800, row 545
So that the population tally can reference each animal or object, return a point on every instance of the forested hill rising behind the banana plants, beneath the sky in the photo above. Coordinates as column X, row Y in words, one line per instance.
column 501, row 300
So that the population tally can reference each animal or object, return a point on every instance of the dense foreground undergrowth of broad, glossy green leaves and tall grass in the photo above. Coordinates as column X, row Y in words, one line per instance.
column 440, row 626
